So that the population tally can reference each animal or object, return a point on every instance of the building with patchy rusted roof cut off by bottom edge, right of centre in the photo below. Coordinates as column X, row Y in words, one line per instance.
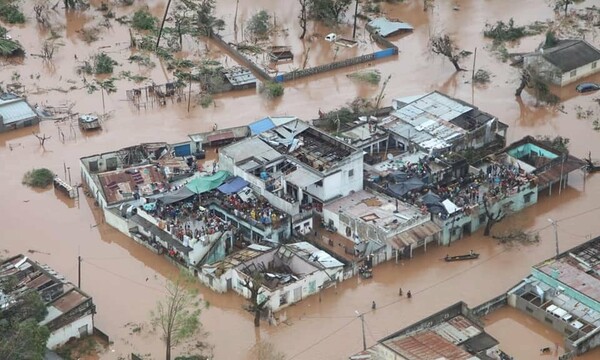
column 452, row 333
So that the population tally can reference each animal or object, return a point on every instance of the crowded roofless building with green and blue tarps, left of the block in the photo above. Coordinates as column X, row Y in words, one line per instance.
column 151, row 193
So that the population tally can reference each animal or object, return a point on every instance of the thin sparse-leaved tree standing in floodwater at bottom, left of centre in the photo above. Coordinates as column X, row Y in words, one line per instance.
column 177, row 316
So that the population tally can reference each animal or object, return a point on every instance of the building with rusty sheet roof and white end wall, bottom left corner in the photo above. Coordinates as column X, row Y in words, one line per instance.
column 70, row 311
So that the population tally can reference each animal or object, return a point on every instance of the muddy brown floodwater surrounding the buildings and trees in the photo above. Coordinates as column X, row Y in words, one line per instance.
column 115, row 268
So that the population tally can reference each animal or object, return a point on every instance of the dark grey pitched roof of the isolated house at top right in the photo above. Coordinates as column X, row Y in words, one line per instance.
column 569, row 55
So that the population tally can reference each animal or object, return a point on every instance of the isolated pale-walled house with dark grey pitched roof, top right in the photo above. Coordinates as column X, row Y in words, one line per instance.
column 566, row 62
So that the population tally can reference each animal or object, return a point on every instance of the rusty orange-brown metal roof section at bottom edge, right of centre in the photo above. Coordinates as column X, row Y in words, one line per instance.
column 427, row 345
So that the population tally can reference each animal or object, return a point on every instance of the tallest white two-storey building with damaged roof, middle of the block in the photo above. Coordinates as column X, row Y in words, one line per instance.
column 295, row 166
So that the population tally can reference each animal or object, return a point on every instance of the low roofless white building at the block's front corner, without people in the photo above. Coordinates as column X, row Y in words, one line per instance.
column 290, row 273
